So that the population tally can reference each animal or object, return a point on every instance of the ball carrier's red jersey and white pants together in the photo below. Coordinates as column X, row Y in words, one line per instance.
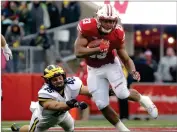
column 104, row 68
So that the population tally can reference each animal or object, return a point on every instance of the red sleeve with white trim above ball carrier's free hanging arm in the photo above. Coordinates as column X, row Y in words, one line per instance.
column 120, row 34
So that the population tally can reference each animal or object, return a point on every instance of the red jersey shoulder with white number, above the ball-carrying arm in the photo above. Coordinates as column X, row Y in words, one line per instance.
column 86, row 26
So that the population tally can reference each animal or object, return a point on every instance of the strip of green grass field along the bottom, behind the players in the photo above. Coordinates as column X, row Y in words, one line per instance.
column 104, row 123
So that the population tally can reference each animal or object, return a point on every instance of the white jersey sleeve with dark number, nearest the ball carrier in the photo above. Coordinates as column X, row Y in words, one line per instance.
column 75, row 85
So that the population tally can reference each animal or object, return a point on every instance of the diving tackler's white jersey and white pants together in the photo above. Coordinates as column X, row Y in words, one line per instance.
column 43, row 119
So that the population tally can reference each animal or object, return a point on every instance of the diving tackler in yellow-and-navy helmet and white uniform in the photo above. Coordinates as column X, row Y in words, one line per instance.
column 55, row 98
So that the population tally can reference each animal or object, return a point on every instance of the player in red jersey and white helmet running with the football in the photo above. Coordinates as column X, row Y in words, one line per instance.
column 104, row 68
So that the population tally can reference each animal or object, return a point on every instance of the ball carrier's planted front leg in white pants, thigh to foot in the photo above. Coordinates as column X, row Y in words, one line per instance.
column 98, row 86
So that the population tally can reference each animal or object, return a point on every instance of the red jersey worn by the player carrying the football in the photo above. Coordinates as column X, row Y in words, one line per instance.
column 88, row 28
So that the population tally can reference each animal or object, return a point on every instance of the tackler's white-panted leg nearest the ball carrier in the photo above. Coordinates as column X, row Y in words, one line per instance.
column 67, row 123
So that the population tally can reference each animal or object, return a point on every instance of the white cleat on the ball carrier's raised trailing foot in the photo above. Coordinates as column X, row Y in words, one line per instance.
column 149, row 106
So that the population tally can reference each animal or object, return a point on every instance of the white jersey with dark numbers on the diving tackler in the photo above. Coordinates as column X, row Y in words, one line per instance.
column 71, row 91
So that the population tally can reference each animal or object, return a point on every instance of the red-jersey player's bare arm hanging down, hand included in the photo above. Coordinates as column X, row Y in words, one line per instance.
column 128, row 62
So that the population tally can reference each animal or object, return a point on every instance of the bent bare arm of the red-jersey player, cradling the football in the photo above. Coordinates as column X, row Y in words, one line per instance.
column 80, row 47
